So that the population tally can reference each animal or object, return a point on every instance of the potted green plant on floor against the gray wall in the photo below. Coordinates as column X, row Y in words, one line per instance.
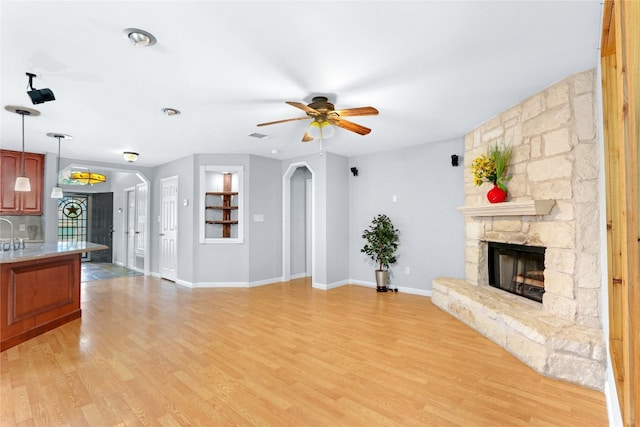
column 381, row 245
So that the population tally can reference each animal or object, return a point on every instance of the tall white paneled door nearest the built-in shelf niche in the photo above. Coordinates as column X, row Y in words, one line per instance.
column 169, row 229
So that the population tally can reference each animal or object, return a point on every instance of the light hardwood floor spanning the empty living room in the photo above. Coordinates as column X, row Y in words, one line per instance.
column 148, row 352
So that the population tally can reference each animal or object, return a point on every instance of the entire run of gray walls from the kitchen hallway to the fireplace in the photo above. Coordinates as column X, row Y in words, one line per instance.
column 428, row 191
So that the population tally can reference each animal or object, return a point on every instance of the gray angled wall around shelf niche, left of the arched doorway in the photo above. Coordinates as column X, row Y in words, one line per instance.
column 259, row 257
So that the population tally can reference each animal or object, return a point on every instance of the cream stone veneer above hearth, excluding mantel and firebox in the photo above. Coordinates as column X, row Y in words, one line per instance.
column 556, row 157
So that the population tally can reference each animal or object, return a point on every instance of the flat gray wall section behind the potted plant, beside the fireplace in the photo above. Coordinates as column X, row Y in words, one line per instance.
column 428, row 191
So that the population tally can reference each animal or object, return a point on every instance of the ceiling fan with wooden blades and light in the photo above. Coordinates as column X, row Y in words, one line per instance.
column 324, row 113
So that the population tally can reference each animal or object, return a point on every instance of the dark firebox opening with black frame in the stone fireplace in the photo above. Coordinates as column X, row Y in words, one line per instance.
column 517, row 269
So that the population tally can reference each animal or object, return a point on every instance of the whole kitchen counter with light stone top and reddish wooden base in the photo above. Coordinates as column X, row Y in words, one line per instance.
column 40, row 289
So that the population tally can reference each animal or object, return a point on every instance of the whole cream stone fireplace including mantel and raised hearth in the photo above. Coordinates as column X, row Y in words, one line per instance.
column 554, row 204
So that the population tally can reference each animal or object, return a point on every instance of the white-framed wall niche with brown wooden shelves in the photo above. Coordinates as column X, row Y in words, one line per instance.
column 221, row 201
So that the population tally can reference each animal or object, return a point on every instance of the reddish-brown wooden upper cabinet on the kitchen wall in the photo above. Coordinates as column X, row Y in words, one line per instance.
column 21, row 203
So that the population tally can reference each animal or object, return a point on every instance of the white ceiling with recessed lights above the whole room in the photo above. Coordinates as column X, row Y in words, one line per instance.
column 434, row 70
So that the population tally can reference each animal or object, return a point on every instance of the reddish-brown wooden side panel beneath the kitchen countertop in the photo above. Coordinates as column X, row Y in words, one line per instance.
column 38, row 296
